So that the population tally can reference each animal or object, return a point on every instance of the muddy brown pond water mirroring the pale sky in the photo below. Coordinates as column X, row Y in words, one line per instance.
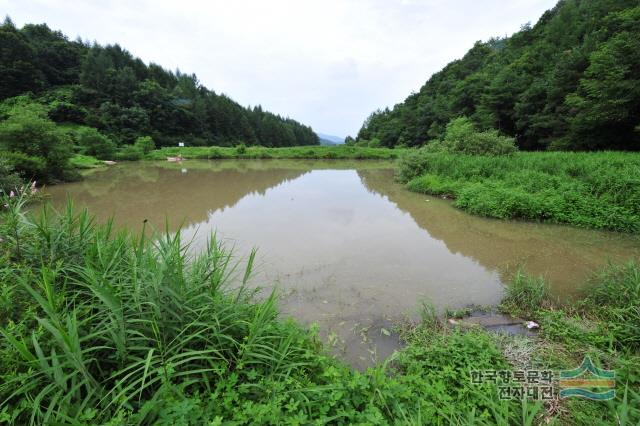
column 346, row 246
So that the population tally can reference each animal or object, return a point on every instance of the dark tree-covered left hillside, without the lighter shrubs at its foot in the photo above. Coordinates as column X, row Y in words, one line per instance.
column 107, row 88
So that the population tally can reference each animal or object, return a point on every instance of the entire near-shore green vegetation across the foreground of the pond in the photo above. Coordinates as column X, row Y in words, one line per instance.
column 115, row 328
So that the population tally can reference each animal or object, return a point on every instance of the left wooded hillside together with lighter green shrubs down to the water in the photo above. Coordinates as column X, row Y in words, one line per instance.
column 60, row 97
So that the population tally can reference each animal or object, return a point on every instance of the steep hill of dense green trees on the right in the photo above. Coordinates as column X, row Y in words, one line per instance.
column 572, row 81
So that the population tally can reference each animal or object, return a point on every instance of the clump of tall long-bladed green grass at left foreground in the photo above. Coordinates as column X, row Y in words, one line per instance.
column 118, row 321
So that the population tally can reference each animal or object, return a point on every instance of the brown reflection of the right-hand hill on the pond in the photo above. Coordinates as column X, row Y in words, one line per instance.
column 566, row 256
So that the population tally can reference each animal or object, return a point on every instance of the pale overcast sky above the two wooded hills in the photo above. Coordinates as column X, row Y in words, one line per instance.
column 327, row 63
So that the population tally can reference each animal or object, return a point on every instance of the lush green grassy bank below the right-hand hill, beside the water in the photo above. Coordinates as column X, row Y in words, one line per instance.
column 598, row 190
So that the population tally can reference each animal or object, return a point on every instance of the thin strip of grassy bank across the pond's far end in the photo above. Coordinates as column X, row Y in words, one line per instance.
column 306, row 152
